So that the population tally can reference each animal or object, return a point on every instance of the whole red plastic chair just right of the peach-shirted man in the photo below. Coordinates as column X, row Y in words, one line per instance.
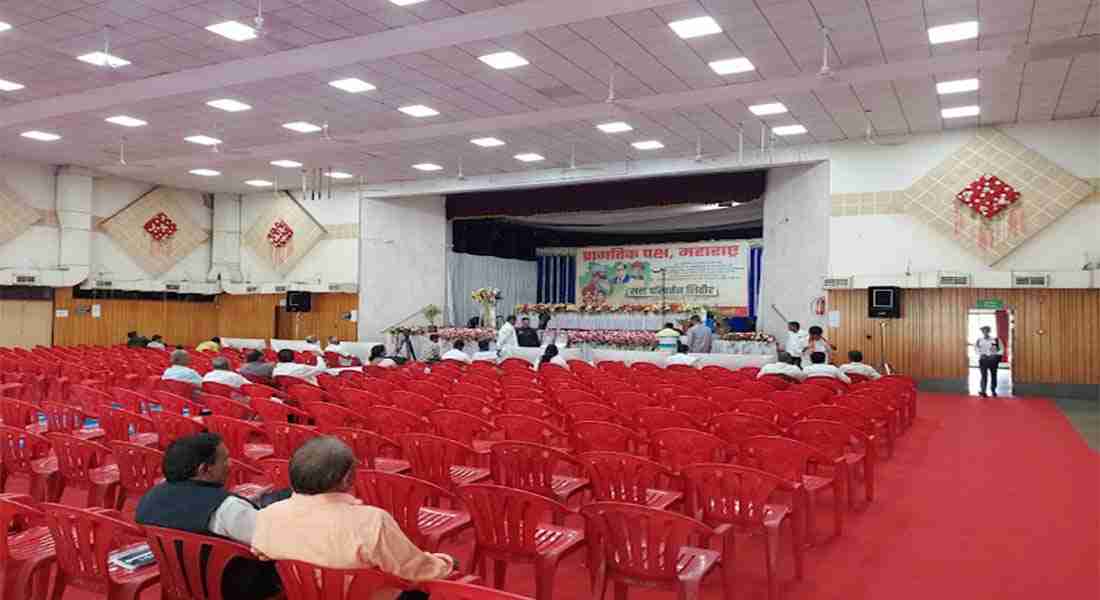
column 414, row 504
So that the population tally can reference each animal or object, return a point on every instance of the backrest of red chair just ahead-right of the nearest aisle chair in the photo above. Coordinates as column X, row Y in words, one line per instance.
column 729, row 494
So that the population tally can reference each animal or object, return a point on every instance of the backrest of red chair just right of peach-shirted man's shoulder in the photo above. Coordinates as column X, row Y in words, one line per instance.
column 402, row 497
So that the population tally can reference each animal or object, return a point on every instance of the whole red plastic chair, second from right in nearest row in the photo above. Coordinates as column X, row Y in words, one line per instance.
column 522, row 537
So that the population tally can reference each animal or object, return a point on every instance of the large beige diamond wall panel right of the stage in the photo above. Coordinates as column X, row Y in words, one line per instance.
column 1047, row 193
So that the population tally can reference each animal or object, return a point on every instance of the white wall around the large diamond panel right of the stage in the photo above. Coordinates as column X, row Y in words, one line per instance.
column 881, row 245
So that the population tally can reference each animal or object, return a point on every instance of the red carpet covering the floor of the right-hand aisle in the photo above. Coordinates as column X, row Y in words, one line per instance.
column 985, row 499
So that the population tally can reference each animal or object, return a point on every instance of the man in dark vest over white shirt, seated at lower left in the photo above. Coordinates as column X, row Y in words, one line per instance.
column 194, row 499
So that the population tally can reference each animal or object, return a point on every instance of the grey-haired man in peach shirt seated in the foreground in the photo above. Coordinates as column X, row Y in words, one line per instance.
column 324, row 525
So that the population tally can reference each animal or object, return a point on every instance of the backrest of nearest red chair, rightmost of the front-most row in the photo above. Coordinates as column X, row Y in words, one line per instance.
column 644, row 543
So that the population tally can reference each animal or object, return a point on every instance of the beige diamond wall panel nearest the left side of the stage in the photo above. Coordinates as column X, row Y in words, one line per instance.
column 307, row 233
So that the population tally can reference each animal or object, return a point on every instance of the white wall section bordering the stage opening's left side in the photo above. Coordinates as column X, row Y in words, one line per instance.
column 403, row 260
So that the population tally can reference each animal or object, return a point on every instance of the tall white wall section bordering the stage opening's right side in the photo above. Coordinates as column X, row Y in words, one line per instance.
column 796, row 242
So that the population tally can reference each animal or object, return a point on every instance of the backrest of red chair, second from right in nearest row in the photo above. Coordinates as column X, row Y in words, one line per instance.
column 505, row 519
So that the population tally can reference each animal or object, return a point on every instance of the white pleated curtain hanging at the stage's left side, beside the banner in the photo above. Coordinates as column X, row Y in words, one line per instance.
column 518, row 281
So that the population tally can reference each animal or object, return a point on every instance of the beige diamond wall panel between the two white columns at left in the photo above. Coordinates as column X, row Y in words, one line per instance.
column 127, row 228
